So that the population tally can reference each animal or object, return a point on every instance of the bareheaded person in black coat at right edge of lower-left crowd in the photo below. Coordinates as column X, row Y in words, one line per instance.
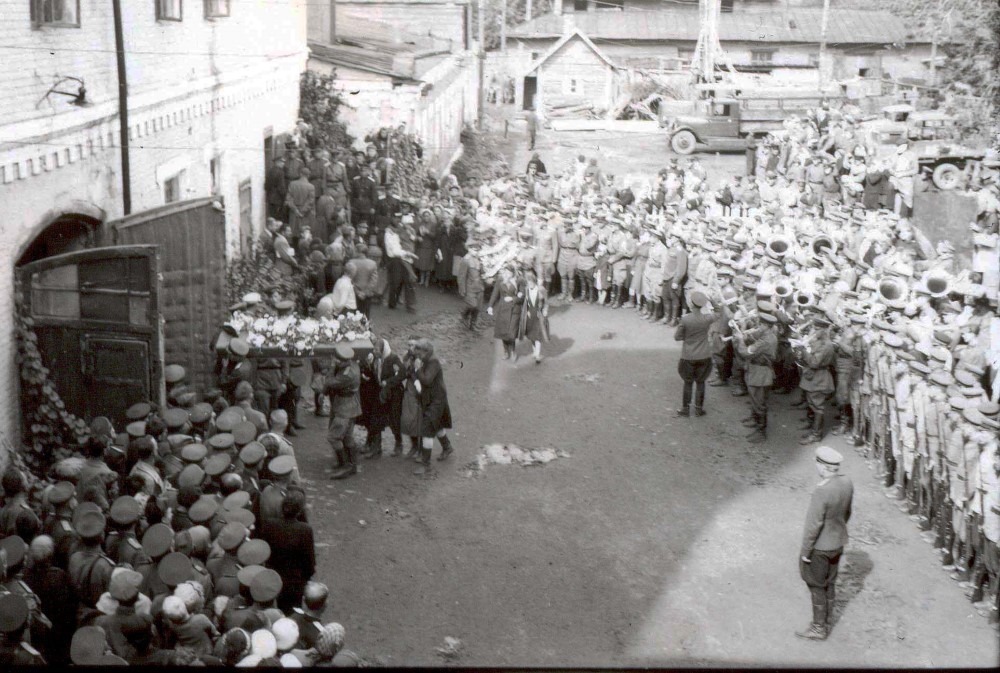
column 293, row 551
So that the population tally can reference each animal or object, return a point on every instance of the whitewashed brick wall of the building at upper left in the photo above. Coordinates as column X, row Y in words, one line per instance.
column 185, row 109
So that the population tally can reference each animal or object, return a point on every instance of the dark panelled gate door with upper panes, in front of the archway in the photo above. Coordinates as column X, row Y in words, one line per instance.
column 95, row 314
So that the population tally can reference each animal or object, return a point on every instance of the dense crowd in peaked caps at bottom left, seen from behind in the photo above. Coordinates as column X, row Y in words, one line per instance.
column 183, row 540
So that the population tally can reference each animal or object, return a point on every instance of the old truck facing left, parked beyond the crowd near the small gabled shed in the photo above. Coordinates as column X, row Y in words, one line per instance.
column 725, row 124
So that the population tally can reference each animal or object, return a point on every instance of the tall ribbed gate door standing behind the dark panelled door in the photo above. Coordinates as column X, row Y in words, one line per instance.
column 191, row 240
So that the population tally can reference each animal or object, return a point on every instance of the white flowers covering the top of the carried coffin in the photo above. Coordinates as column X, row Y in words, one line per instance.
column 300, row 336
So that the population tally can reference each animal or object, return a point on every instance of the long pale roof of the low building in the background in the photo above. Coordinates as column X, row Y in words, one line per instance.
column 846, row 26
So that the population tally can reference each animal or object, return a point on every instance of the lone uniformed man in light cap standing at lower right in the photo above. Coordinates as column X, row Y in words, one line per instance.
column 823, row 540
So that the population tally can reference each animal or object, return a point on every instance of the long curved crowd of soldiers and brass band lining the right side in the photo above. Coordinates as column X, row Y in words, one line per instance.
column 879, row 334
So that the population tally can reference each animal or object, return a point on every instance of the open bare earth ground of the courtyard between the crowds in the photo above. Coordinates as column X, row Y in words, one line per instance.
column 659, row 541
